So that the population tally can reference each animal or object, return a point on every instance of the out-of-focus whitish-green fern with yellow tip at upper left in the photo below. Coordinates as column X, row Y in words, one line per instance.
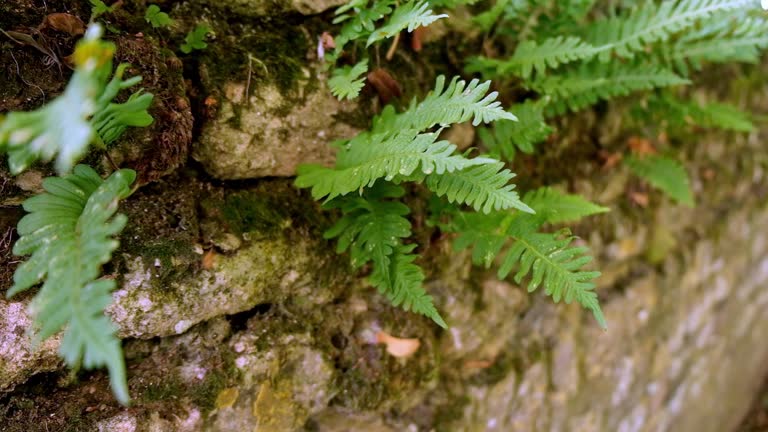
column 65, row 127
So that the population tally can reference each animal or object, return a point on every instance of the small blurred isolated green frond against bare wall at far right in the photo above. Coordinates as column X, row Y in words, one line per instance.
column 664, row 173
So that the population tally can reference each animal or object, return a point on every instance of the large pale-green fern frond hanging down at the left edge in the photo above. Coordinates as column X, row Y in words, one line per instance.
column 69, row 234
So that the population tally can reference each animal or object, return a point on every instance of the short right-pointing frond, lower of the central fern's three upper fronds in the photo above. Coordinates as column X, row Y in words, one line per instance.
column 484, row 187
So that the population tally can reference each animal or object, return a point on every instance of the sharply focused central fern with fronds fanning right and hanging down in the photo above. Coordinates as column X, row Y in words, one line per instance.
column 398, row 150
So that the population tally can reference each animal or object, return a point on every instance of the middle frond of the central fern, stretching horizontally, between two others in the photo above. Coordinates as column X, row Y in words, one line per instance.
column 385, row 156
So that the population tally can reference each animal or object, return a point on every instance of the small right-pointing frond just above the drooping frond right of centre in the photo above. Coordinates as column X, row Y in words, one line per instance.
column 554, row 206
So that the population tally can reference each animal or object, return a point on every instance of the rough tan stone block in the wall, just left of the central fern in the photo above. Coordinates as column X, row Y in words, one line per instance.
column 270, row 134
